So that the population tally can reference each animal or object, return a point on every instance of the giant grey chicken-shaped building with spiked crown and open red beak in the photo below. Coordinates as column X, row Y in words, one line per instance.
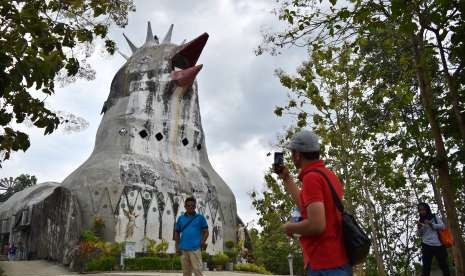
column 149, row 156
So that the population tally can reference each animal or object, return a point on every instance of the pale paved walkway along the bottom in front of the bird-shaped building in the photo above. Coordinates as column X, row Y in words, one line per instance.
column 44, row 268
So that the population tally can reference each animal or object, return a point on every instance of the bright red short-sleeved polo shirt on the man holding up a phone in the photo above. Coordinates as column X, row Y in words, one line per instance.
column 327, row 249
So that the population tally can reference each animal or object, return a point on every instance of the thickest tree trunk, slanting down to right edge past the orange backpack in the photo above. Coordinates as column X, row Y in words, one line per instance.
column 442, row 163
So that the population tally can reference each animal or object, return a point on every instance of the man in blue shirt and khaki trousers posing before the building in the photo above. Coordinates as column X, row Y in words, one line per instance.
column 191, row 235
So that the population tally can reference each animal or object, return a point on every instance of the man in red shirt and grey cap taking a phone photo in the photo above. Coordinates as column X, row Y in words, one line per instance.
column 321, row 225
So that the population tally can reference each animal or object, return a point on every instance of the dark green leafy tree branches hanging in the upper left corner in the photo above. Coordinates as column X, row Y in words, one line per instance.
column 40, row 40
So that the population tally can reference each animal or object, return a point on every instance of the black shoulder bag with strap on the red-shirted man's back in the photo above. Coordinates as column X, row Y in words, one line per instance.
column 356, row 241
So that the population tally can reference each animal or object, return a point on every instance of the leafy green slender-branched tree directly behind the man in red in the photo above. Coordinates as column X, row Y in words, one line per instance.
column 367, row 142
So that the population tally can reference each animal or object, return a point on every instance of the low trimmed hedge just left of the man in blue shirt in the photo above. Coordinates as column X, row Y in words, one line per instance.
column 153, row 263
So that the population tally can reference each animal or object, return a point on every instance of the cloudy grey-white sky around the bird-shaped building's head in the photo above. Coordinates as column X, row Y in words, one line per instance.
column 237, row 90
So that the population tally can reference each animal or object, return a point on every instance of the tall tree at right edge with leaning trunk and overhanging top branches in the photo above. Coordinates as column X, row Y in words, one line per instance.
column 419, row 29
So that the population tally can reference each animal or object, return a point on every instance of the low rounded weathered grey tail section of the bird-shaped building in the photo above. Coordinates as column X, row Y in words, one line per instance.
column 42, row 221
